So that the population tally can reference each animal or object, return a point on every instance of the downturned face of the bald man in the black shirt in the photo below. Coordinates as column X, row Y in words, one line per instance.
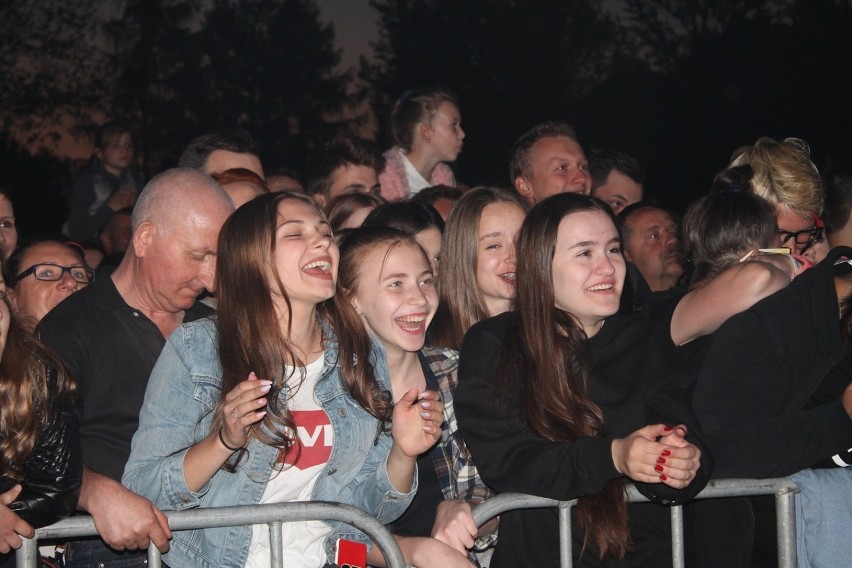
column 180, row 255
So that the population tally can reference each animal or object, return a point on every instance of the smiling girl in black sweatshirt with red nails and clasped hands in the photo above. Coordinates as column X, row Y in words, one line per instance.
column 565, row 398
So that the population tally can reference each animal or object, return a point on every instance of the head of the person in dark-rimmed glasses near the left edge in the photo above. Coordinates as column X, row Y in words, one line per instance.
column 42, row 274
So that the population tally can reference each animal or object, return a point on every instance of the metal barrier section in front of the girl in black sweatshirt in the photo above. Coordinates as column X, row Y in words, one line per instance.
column 783, row 488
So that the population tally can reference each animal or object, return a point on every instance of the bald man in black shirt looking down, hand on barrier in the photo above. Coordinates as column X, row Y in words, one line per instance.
column 111, row 336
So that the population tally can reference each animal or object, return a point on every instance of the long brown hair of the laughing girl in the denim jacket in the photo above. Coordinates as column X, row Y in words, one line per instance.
column 250, row 337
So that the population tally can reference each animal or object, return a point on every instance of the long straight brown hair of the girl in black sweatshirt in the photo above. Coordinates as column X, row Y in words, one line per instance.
column 545, row 361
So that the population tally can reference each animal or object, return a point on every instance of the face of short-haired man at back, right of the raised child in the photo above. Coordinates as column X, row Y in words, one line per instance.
column 557, row 164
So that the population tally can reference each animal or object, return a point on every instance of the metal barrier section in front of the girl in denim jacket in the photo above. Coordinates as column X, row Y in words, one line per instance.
column 271, row 514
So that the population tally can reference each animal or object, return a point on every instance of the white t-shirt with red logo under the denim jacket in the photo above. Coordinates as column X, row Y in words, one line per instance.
column 303, row 541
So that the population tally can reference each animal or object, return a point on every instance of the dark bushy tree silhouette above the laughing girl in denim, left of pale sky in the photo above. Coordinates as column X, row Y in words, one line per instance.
column 271, row 68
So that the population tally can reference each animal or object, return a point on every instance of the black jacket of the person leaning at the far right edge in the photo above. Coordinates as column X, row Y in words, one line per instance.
column 756, row 391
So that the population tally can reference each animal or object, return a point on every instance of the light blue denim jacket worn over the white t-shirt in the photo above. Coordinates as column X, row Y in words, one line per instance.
column 182, row 394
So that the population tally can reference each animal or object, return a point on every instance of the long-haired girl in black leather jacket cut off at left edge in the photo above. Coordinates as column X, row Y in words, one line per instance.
column 40, row 458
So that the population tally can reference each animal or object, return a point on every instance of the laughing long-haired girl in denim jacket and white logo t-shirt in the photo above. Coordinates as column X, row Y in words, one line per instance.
column 263, row 405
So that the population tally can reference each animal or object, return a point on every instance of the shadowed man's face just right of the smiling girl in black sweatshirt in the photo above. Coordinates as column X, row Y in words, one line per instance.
column 653, row 246
